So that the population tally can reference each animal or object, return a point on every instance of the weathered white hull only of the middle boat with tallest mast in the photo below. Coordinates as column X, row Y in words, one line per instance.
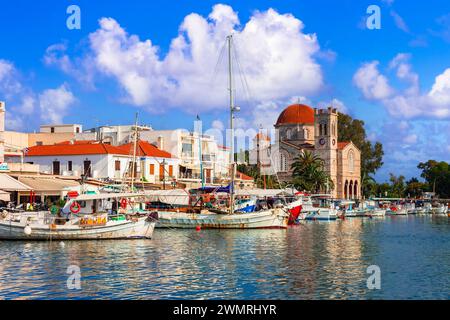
column 274, row 218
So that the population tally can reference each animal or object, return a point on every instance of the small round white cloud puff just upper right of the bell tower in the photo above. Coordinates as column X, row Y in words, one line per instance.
column 373, row 85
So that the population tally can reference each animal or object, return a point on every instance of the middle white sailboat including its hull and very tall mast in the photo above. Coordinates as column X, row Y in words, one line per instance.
column 236, row 216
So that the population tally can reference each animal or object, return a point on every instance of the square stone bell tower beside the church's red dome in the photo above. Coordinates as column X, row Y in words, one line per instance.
column 326, row 121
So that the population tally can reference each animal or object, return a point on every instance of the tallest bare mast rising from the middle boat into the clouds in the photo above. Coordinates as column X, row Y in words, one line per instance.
column 232, row 109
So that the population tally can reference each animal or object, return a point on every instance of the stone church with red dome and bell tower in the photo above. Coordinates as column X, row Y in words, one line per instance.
column 300, row 127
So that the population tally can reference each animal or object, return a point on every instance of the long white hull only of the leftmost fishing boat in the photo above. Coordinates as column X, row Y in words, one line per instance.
column 127, row 229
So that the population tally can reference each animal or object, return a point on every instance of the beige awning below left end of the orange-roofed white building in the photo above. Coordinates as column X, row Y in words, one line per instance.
column 48, row 186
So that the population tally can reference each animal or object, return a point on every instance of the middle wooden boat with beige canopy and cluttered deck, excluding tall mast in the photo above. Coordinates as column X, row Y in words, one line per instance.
column 208, row 208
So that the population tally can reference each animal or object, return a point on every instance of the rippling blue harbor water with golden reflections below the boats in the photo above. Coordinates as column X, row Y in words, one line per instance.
column 315, row 260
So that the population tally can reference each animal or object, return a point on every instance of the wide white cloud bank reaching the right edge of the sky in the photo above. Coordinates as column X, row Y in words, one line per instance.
column 409, row 102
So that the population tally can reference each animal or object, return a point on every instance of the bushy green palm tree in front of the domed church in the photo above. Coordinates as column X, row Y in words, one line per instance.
column 309, row 174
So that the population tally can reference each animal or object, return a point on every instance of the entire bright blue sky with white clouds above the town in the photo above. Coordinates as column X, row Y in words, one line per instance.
column 166, row 61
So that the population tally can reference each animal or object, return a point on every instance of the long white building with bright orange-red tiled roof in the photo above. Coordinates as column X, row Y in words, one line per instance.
column 103, row 161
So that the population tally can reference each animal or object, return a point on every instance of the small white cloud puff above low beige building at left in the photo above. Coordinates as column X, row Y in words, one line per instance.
column 54, row 104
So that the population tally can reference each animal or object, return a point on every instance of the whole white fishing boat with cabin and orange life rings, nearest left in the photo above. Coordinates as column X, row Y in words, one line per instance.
column 85, row 217
